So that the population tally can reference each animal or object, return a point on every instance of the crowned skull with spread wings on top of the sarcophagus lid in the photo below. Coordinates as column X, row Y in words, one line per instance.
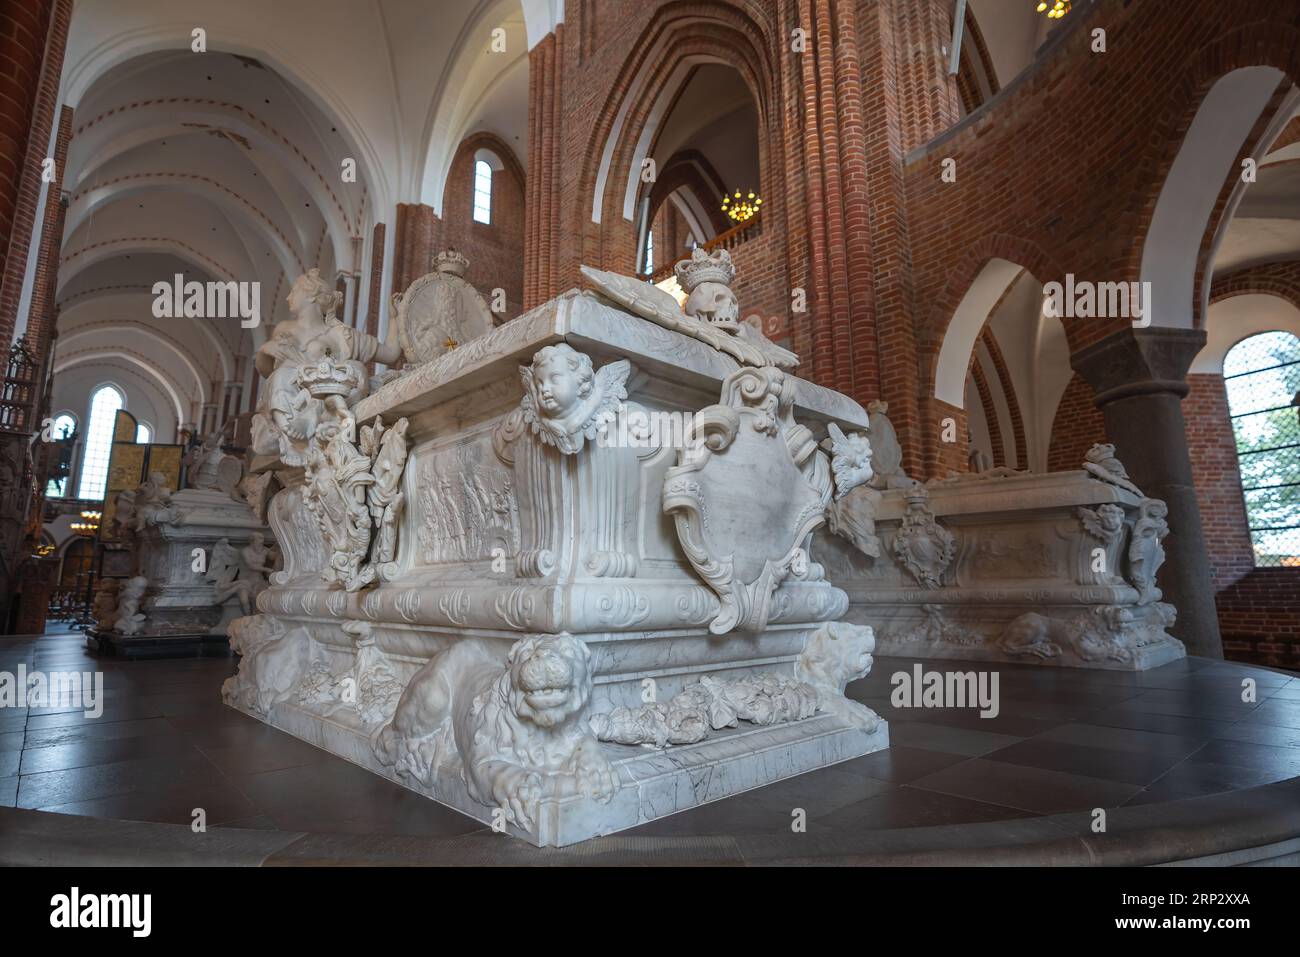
column 744, row 344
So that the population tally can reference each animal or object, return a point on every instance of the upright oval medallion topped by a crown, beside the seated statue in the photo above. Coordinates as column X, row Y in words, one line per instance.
column 440, row 311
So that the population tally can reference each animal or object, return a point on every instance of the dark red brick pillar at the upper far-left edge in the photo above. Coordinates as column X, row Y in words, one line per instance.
column 33, row 36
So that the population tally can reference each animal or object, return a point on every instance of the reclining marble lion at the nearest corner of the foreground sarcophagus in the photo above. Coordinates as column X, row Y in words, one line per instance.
column 519, row 728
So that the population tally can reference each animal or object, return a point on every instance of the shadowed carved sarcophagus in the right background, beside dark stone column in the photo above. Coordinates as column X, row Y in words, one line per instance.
column 1055, row 569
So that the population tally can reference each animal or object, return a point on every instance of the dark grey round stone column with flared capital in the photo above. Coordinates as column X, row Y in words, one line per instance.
column 1139, row 379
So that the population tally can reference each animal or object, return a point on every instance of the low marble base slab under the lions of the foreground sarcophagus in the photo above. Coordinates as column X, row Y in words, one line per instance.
column 653, row 783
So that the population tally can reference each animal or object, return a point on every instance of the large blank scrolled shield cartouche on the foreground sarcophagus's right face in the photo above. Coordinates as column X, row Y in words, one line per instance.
column 743, row 545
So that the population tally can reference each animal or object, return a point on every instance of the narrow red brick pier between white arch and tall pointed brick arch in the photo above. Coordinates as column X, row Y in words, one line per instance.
column 543, row 190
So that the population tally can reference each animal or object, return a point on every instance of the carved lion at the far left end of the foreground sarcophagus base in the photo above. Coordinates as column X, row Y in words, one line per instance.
column 275, row 660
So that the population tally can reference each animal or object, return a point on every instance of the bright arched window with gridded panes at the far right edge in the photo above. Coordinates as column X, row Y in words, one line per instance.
column 1263, row 378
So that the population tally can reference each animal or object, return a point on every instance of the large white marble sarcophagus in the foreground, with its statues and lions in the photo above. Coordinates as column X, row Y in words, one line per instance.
column 557, row 574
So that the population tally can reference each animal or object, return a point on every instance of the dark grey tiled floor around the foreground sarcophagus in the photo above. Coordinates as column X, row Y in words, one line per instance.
column 1065, row 741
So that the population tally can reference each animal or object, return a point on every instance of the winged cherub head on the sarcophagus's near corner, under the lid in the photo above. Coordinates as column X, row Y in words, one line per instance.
column 566, row 401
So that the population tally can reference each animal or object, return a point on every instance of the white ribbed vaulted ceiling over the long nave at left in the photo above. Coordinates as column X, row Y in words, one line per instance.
column 228, row 164
